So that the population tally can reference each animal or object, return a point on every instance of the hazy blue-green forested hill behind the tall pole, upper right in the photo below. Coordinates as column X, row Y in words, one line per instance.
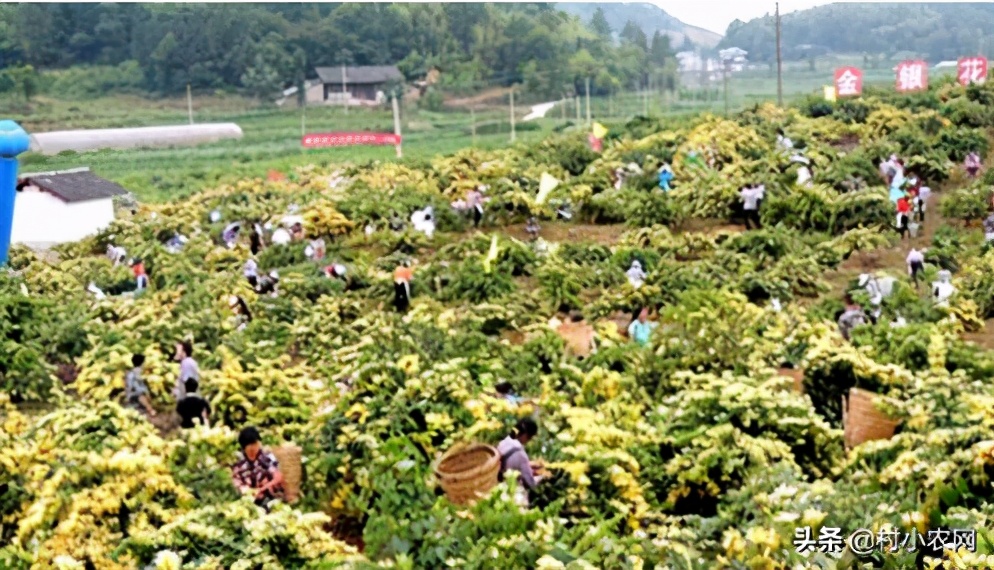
column 932, row 30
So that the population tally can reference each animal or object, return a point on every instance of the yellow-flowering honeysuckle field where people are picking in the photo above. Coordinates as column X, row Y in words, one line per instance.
column 691, row 453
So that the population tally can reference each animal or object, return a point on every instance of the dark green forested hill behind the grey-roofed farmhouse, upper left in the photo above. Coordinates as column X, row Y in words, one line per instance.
column 261, row 48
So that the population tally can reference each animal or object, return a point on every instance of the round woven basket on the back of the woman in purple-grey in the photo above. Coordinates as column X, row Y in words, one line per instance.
column 467, row 473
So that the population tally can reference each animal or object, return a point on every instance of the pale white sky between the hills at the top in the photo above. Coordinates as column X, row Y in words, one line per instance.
column 715, row 15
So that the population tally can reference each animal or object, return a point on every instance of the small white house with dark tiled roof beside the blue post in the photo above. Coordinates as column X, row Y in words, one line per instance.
column 58, row 207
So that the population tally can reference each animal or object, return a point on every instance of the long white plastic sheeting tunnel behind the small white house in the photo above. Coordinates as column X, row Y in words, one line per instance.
column 141, row 137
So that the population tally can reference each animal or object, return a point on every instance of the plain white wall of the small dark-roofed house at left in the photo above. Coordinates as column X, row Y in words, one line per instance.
column 40, row 218
